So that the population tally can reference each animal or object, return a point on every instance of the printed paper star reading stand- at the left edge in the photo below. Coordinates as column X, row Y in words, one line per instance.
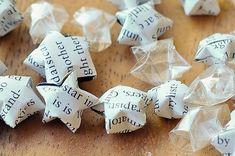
column 17, row 100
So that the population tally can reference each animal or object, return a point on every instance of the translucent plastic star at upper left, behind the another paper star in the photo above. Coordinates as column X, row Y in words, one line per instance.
column 43, row 17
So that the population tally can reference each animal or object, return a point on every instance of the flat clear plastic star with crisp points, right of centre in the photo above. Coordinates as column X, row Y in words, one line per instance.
column 158, row 62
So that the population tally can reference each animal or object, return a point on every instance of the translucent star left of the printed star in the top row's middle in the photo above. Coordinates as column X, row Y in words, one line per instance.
column 96, row 25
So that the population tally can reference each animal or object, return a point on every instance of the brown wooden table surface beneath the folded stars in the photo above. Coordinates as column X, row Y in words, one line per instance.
column 32, row 137
